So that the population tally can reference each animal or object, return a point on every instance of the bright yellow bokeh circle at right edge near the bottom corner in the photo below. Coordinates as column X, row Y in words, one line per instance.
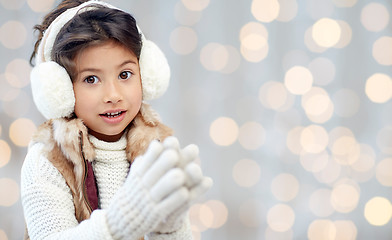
column 378, row 211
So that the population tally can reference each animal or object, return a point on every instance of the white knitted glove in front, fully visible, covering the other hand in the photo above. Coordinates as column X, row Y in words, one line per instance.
column 151, row 192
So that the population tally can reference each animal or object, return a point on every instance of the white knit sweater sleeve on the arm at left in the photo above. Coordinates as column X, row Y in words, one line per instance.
column 48, row 205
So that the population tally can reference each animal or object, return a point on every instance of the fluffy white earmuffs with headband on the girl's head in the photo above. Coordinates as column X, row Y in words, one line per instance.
column 52, row 86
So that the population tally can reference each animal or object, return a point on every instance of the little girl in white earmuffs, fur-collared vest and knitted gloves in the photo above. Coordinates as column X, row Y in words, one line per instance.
column 103, row 166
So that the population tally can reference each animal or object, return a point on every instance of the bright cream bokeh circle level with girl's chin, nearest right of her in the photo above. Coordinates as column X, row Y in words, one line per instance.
column 224, row 131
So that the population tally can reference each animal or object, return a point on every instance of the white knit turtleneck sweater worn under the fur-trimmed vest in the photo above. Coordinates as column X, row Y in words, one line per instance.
column 47, row 200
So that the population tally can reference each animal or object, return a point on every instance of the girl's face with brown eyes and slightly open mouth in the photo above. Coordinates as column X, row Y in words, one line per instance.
column 107, row 88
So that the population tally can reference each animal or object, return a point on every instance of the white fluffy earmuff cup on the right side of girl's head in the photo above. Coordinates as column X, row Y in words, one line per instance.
column 154, row 70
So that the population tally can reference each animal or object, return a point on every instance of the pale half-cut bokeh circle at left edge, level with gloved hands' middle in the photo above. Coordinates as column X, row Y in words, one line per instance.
column 9, row 192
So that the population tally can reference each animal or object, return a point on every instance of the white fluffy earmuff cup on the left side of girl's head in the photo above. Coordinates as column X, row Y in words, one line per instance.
column 52, row 90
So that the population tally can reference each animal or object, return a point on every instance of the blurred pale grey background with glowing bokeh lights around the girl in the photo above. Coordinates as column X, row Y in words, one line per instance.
column 288, row 100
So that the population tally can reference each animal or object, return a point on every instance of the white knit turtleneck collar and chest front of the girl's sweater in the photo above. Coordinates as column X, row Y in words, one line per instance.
column 110, row 166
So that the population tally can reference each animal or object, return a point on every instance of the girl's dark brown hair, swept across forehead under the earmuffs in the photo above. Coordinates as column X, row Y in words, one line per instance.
column 88, row 28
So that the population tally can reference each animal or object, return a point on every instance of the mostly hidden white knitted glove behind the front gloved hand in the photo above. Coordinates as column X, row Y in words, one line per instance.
column 196, row 183
